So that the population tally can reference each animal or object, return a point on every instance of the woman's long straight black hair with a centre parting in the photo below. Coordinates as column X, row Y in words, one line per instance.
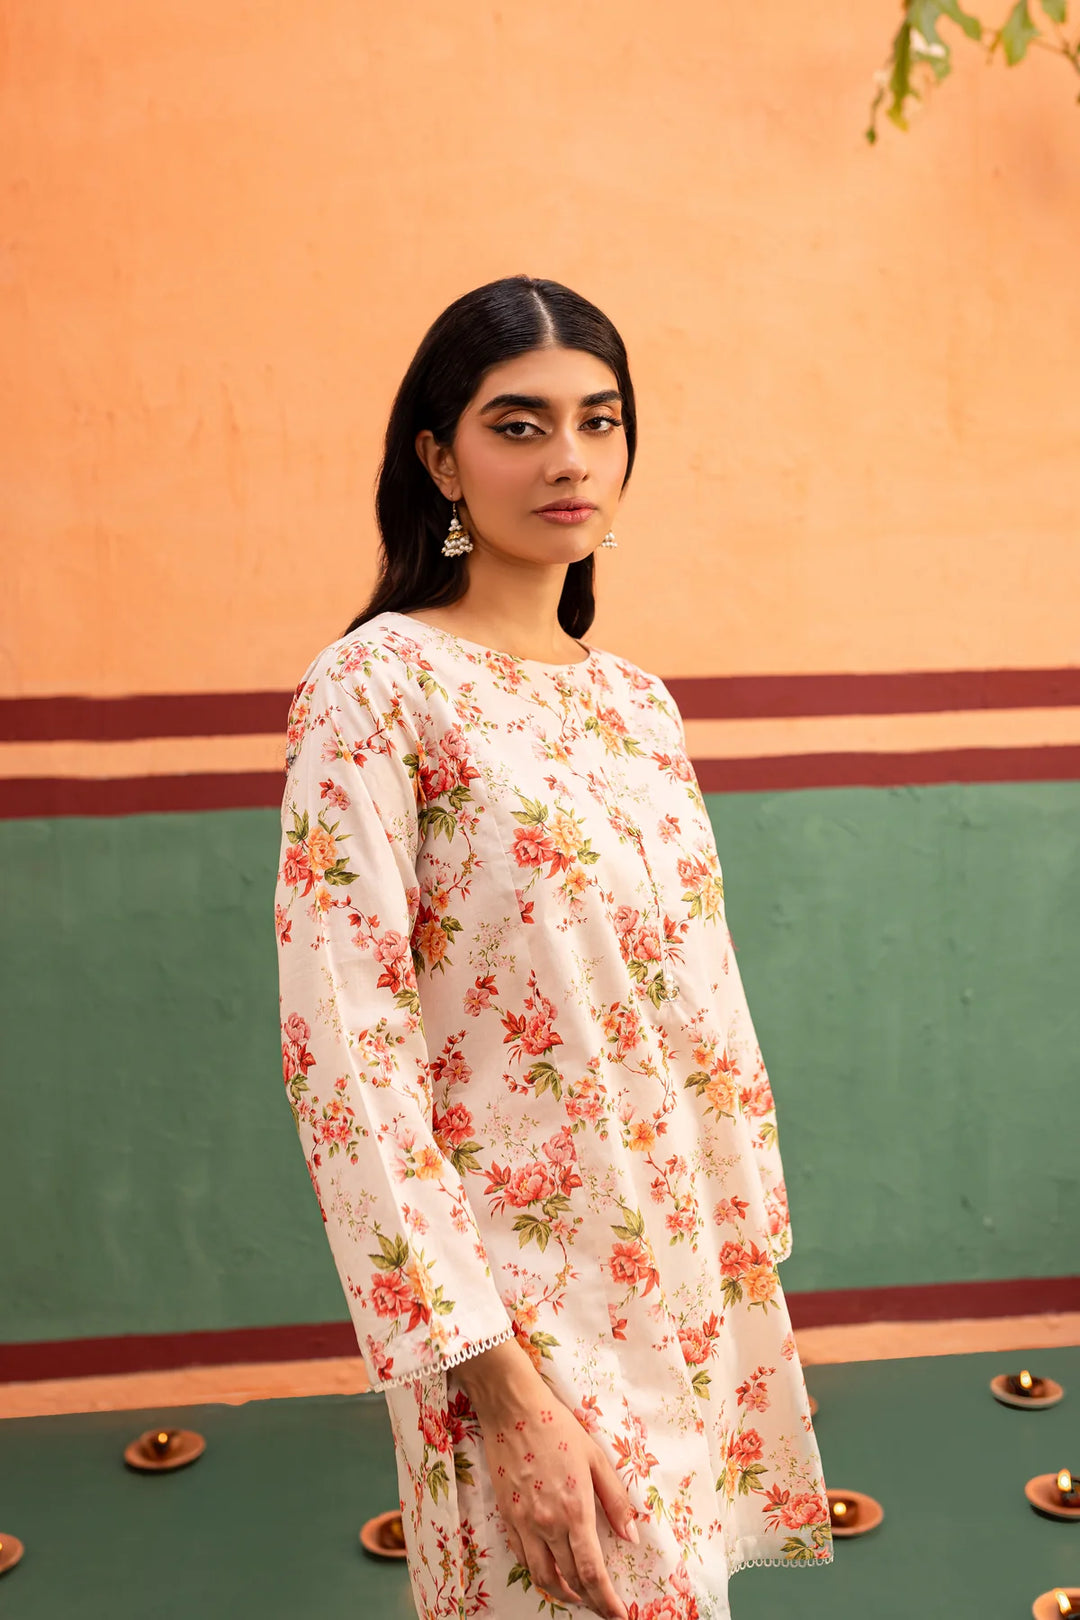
column 474, row 335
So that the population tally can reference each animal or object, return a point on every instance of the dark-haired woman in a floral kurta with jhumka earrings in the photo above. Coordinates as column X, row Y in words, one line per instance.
column 516, row 1039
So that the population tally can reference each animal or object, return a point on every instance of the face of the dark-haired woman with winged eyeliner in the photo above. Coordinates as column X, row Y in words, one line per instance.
column 542, row 428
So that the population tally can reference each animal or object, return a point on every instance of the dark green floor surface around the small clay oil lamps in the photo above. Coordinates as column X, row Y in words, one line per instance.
column 265, row 1525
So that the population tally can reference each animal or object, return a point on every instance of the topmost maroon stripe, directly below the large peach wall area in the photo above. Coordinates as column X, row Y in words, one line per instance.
column 700, row 697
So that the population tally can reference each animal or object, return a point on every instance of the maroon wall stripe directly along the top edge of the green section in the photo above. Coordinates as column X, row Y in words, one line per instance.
column 61, row 796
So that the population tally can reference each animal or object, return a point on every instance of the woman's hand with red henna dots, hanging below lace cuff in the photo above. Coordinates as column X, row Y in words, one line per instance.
column 546, row 1472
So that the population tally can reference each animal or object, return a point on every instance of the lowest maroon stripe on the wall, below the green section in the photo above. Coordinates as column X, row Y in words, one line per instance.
column 317, row 1341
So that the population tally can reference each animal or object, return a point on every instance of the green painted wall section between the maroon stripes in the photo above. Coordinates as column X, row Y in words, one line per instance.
column 911, row 958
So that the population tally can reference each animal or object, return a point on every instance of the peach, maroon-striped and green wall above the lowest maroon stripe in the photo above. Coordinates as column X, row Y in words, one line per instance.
column 851, row 544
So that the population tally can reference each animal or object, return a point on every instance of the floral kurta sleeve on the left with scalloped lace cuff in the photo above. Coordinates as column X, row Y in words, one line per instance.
column 355, row 1062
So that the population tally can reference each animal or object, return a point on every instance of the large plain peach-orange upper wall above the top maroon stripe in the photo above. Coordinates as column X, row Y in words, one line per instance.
column 227, row 228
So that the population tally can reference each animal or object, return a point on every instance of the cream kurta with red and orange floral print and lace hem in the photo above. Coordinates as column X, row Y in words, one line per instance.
column 532, row 1104
